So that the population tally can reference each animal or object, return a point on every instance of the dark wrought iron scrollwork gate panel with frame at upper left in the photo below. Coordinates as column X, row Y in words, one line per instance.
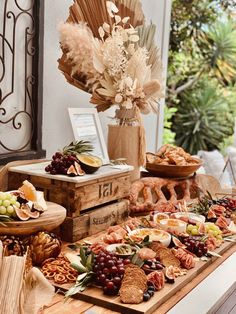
column 21, row 71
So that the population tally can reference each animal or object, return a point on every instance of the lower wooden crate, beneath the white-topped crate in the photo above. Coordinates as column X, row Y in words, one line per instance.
column 94, row 221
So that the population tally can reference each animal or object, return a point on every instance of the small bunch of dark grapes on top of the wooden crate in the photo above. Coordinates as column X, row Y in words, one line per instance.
column 61, row 163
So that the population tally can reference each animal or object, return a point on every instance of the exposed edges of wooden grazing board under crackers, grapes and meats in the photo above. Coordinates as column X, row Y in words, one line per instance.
column 95, row 295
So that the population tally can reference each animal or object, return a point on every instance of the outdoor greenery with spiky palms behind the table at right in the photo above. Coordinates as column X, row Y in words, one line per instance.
column 201, row 74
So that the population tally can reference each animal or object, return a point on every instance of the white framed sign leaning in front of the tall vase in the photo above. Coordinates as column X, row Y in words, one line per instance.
column 86, row 126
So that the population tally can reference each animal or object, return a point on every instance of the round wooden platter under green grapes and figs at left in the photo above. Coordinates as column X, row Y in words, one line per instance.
column 52, row 218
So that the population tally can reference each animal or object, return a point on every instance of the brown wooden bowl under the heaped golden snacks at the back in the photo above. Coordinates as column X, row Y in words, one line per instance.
column 173, row 171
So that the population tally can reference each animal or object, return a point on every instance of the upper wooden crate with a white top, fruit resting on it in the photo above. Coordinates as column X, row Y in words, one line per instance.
column 76, row 194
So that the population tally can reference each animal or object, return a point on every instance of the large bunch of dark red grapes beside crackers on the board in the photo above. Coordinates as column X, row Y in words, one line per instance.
column 109, row 270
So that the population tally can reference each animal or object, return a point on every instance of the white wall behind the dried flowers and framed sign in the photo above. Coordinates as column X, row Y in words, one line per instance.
column 59, row 95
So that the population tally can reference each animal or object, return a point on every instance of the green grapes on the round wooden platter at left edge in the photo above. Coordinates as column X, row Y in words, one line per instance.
column 7, row 203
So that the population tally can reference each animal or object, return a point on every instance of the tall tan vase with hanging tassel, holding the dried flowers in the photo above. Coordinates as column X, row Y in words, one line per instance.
column 125, row 141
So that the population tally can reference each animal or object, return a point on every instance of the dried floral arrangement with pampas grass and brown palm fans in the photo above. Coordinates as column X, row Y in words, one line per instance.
column 109, row 52
